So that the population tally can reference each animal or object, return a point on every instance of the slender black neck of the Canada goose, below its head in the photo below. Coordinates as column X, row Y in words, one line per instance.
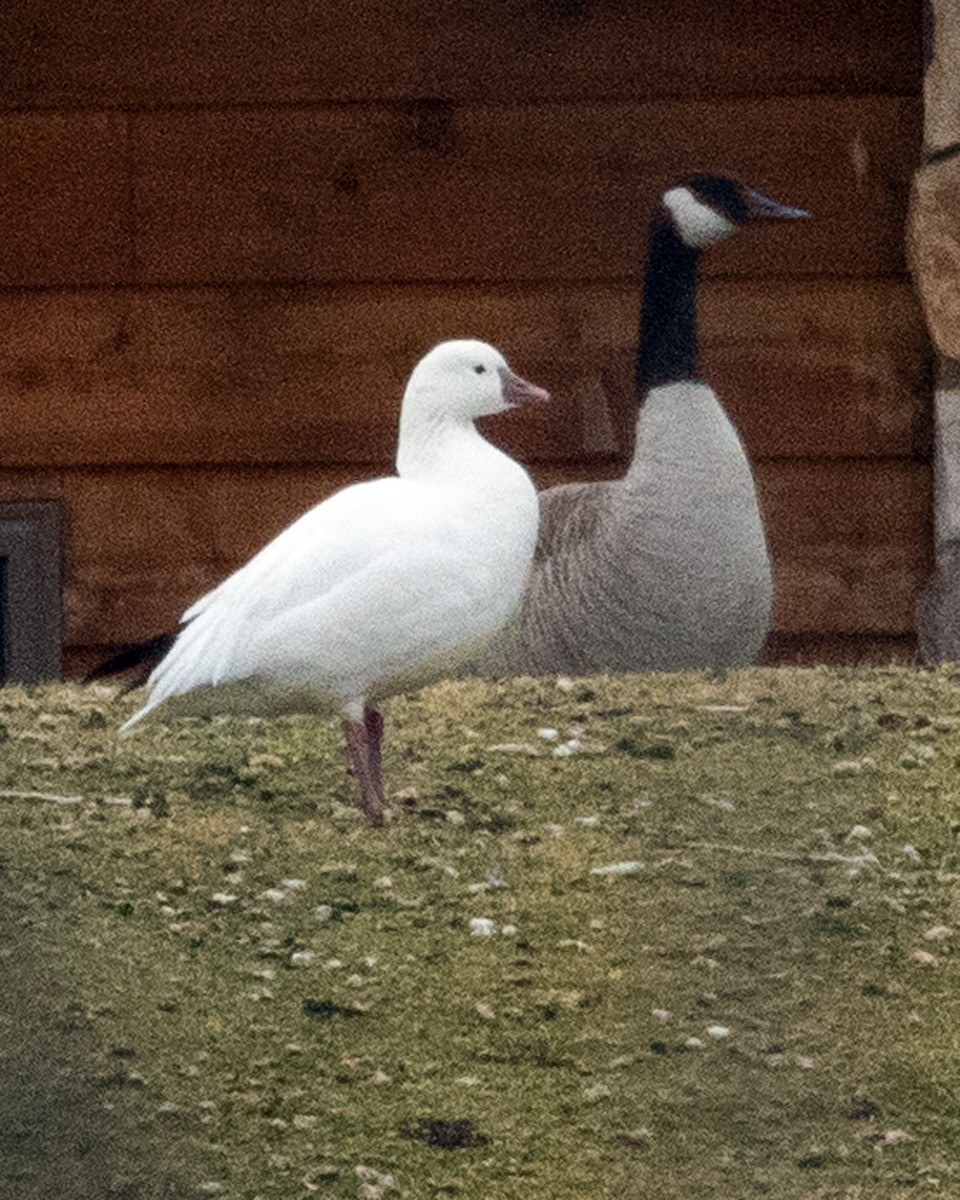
column 668, row 346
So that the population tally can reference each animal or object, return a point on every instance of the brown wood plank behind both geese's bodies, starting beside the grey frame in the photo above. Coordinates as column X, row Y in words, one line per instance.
column 851, row 542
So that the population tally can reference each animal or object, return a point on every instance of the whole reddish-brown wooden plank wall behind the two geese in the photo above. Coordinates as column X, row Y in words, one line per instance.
column 227, row 231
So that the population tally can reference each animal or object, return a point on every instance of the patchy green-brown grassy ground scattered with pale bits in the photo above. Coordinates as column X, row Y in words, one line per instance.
column 712, row 953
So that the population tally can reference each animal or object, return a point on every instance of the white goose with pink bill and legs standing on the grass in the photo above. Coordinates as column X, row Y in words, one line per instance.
column 386, row 585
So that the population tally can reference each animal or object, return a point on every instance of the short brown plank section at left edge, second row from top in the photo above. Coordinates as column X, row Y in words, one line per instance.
column 64, row 201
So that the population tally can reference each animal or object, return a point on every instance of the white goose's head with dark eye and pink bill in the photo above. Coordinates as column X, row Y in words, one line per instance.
column 467, row 380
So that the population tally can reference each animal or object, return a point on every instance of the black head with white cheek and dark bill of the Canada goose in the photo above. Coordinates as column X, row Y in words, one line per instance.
column 706, row 208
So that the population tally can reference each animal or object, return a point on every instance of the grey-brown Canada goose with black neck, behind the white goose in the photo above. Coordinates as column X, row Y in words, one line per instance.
column 667, row 568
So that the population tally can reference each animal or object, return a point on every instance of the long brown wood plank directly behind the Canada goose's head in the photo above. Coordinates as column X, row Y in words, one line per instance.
column 520, row 194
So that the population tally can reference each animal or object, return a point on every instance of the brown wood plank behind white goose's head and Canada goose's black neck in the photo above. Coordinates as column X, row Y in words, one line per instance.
column 286, row 376
